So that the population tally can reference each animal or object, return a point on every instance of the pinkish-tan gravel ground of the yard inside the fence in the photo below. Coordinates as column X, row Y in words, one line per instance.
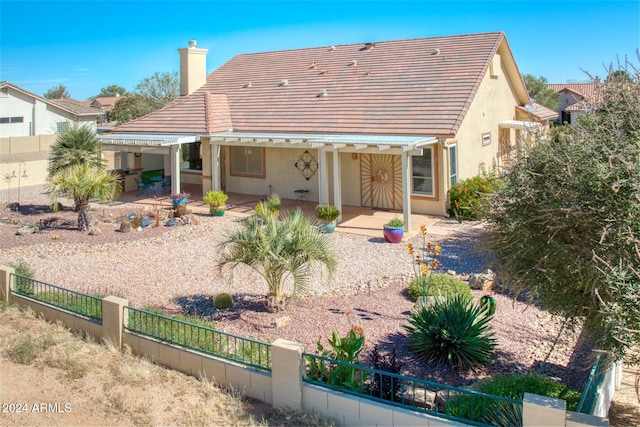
column 174, row 267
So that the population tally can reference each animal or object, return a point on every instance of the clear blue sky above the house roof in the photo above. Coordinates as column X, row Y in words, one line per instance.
column 87, row 45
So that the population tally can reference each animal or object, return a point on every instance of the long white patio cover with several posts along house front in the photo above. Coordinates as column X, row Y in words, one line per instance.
column 405, row 146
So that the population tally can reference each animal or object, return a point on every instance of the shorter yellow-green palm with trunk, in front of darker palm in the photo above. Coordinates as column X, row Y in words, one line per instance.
column 82, row 182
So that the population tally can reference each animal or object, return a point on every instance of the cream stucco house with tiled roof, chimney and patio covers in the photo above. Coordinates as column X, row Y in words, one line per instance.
column 388, row 125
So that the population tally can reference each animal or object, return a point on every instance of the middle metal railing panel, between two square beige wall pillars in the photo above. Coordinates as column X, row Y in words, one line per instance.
column 248, row 351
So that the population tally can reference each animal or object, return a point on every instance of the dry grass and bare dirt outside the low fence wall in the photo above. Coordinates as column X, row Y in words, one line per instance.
column 45, row 362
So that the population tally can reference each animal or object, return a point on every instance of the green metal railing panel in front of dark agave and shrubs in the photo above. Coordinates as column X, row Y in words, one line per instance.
column 453, row 403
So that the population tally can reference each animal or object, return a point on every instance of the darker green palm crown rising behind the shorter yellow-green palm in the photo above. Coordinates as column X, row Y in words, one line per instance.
column 77, row 145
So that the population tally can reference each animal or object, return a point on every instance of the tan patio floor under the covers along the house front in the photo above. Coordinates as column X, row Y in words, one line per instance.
column 355, row 219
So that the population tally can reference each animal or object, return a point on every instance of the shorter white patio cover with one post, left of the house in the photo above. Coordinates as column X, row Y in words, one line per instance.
column 168, row 144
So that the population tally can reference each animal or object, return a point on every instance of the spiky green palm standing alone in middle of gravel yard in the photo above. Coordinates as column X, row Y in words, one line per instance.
column 289, row 248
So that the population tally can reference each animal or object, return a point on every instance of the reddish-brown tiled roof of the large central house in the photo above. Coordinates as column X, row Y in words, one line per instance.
column 407, row 87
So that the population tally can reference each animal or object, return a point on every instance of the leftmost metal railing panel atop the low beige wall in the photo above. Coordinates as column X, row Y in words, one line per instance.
column 75, row 302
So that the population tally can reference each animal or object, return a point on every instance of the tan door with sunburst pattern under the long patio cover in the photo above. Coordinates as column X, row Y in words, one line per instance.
column 381, row 181
